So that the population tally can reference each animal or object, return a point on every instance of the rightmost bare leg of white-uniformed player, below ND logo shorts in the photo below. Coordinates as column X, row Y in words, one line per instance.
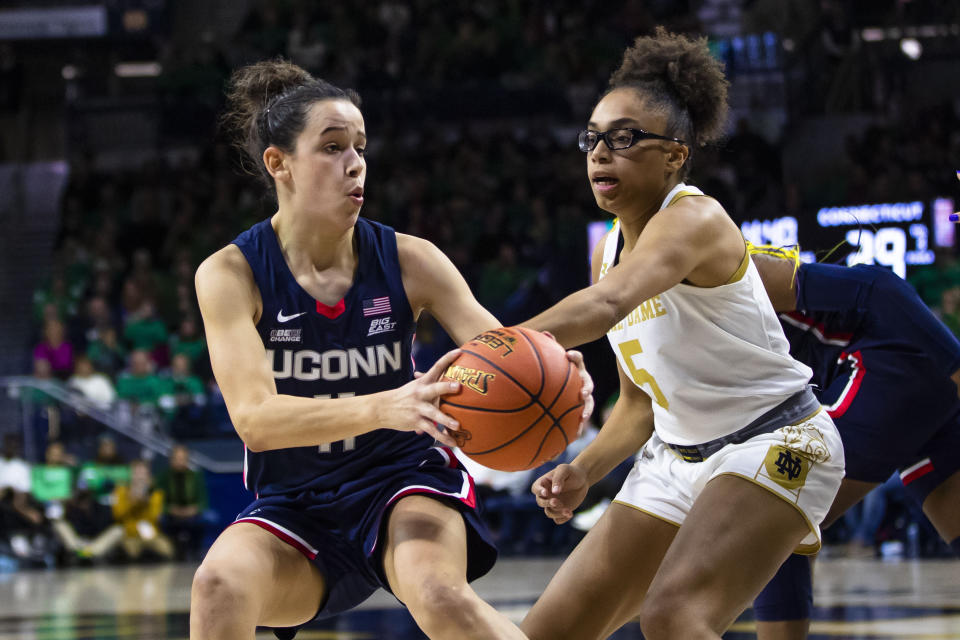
column 733, row 541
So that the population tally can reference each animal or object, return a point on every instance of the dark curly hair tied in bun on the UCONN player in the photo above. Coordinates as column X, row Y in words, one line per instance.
column 267, row 104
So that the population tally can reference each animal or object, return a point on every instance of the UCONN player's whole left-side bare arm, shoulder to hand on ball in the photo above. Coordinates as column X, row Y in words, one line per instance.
column 230, row 304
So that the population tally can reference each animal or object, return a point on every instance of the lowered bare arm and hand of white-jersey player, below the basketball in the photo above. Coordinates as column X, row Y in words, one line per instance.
column 562, row 489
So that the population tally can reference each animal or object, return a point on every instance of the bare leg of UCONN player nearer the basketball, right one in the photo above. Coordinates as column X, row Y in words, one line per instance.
column 425, row 560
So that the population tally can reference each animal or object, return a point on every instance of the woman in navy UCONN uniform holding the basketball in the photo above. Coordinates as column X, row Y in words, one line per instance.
column 309, row 318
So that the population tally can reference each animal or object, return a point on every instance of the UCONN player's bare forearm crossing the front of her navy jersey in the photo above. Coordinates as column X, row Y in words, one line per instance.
column 283, row 421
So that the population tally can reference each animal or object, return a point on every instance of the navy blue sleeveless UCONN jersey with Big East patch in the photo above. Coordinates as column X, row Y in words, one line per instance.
column 360, row 345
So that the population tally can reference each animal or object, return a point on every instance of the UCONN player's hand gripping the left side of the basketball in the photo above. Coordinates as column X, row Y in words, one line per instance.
column 415, row 405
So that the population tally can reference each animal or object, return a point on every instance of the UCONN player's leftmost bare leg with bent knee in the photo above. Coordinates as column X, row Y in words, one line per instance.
column 248, row 578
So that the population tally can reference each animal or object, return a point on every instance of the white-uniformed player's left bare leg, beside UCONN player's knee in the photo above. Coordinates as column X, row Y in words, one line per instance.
column 609, row 572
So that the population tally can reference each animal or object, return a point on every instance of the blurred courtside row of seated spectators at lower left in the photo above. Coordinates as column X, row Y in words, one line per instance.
column 66, row 512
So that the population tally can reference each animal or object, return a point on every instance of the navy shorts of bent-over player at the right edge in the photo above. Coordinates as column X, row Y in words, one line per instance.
column 894, row 415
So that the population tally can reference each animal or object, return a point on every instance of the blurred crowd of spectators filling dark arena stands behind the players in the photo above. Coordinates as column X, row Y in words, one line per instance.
column 492, row 177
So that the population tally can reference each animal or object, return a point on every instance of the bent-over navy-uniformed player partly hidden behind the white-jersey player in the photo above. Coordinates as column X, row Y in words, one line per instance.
column 887, row 371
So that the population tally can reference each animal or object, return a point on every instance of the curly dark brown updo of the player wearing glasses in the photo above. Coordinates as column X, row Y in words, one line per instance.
column 680, row 76
